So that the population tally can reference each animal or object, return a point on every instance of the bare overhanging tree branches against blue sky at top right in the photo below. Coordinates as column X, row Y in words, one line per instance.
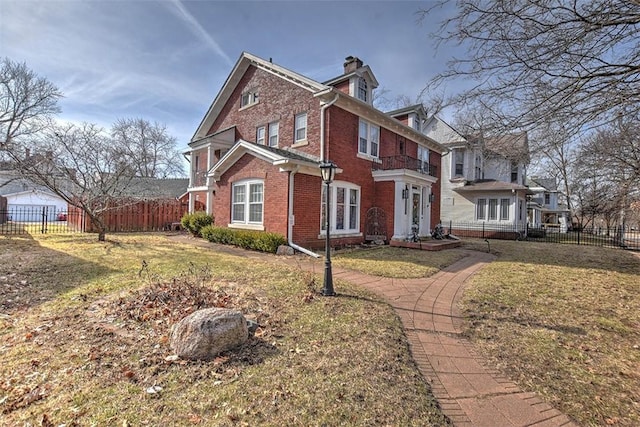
column 537, row 61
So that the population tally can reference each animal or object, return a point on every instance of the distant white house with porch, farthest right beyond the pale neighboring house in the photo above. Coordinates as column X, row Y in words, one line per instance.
column 547, row 205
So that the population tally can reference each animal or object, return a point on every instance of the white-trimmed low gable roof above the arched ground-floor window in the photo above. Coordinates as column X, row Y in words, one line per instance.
column 285, row 159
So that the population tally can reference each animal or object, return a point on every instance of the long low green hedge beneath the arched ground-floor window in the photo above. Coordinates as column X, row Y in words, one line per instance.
column 247, row 239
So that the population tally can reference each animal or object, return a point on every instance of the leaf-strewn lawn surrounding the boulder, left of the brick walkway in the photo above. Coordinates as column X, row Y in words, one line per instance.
column 84, row 329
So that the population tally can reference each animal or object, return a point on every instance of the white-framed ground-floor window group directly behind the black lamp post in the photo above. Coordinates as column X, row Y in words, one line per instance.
column 345, row 208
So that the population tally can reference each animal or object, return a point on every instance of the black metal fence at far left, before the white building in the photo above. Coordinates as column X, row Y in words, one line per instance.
column 31, row 220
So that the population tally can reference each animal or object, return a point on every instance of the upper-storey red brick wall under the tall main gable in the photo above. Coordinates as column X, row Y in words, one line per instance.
column 279, row 101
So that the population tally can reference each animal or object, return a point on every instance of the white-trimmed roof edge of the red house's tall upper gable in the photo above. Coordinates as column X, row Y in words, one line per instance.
column 244, row 62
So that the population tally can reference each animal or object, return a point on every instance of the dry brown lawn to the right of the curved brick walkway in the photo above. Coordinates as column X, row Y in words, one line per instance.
column 563, row 321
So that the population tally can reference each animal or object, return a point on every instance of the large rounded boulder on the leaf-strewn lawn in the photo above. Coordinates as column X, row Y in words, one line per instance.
column 206, row 333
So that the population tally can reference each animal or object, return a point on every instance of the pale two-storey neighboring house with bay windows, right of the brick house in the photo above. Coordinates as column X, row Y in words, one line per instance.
column 482, row 178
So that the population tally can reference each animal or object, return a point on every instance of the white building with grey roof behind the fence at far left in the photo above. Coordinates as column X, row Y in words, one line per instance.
column 26, row 201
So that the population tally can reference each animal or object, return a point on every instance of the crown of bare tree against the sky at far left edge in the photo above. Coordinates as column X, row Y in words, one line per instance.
column 27, row 102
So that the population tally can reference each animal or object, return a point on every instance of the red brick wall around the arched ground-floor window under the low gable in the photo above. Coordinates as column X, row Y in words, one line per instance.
column 276, row 199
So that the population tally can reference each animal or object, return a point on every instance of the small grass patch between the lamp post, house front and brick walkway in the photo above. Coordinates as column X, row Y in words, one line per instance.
column 398, row 263
